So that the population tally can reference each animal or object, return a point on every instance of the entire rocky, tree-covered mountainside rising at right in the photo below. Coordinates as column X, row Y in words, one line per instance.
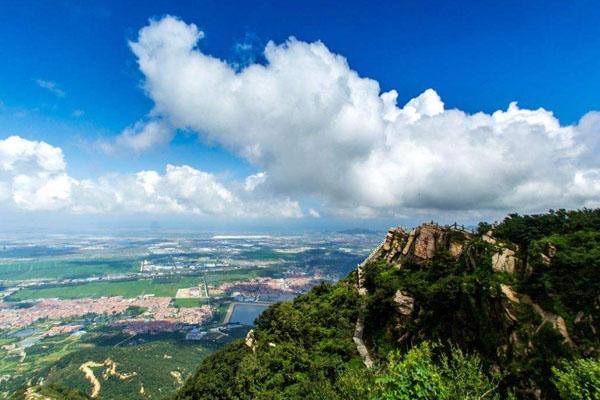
column 510, row 311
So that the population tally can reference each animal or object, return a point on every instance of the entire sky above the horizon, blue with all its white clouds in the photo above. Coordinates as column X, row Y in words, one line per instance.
column 267, row 115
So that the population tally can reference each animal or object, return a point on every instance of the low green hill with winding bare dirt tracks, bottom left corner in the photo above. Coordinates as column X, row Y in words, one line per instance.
column 57, row 360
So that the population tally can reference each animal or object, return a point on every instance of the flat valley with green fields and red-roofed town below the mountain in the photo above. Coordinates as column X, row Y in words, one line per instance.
column 150, row 308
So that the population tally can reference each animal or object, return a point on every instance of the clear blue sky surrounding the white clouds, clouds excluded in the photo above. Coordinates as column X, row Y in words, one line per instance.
column 69, row 78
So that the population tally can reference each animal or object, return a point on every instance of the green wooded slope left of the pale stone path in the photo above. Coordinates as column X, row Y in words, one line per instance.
column 304, row 349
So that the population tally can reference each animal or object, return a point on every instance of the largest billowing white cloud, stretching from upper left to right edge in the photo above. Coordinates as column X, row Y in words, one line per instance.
column 316, row 127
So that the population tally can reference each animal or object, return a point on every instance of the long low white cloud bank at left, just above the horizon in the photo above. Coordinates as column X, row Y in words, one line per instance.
column 33, row 176
